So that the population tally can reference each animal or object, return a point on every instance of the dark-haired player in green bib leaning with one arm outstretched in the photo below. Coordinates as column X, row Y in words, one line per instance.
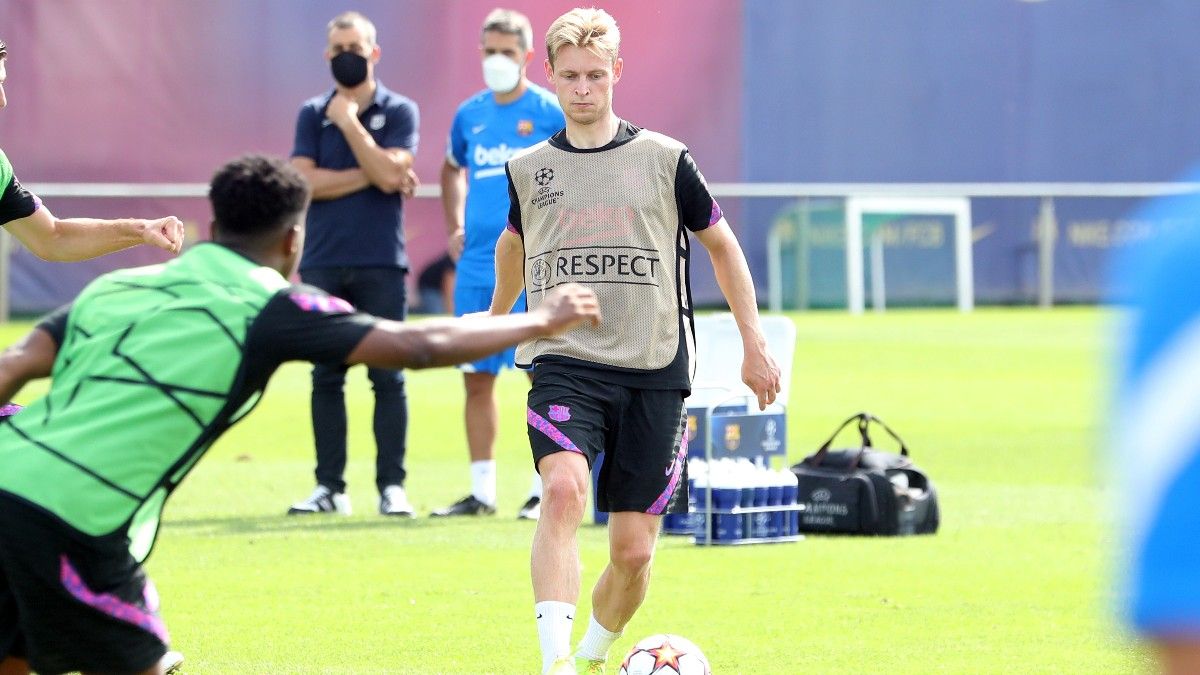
column 149, row 368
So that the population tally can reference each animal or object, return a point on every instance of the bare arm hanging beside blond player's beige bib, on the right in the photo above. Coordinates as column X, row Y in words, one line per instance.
column 759, row 369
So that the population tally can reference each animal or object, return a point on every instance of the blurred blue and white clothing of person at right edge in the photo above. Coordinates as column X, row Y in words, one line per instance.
column 1157, row 413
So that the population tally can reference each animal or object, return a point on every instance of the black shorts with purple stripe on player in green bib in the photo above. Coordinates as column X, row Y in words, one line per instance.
column 71, row 604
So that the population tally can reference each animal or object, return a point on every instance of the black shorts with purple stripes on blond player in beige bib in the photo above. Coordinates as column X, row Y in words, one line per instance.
column 643, row 434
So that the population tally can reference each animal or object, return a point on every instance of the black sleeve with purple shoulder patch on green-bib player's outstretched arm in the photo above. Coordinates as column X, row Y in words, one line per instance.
column 307, row 324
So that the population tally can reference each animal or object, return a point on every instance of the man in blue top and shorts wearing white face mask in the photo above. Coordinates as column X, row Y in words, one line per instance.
column 491, row 127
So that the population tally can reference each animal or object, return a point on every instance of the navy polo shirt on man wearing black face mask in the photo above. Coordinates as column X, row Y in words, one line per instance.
column 364, row 229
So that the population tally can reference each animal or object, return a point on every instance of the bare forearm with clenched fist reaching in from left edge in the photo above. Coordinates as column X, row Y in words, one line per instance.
column 80, row 238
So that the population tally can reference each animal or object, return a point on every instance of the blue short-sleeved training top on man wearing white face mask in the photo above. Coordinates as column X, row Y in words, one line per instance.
column 483, row 138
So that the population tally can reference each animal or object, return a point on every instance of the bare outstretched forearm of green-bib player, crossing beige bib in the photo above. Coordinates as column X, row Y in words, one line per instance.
column 431, row 344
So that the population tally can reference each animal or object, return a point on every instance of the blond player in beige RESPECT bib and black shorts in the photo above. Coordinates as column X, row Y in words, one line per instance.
column 611, row 206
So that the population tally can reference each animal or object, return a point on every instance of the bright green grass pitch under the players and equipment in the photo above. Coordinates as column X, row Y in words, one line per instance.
column 1003, row 408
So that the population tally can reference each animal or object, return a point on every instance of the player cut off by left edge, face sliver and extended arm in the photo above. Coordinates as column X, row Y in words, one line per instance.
column 79, row 238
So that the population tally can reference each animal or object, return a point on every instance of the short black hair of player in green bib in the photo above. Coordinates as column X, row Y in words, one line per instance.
column 256, row 195
